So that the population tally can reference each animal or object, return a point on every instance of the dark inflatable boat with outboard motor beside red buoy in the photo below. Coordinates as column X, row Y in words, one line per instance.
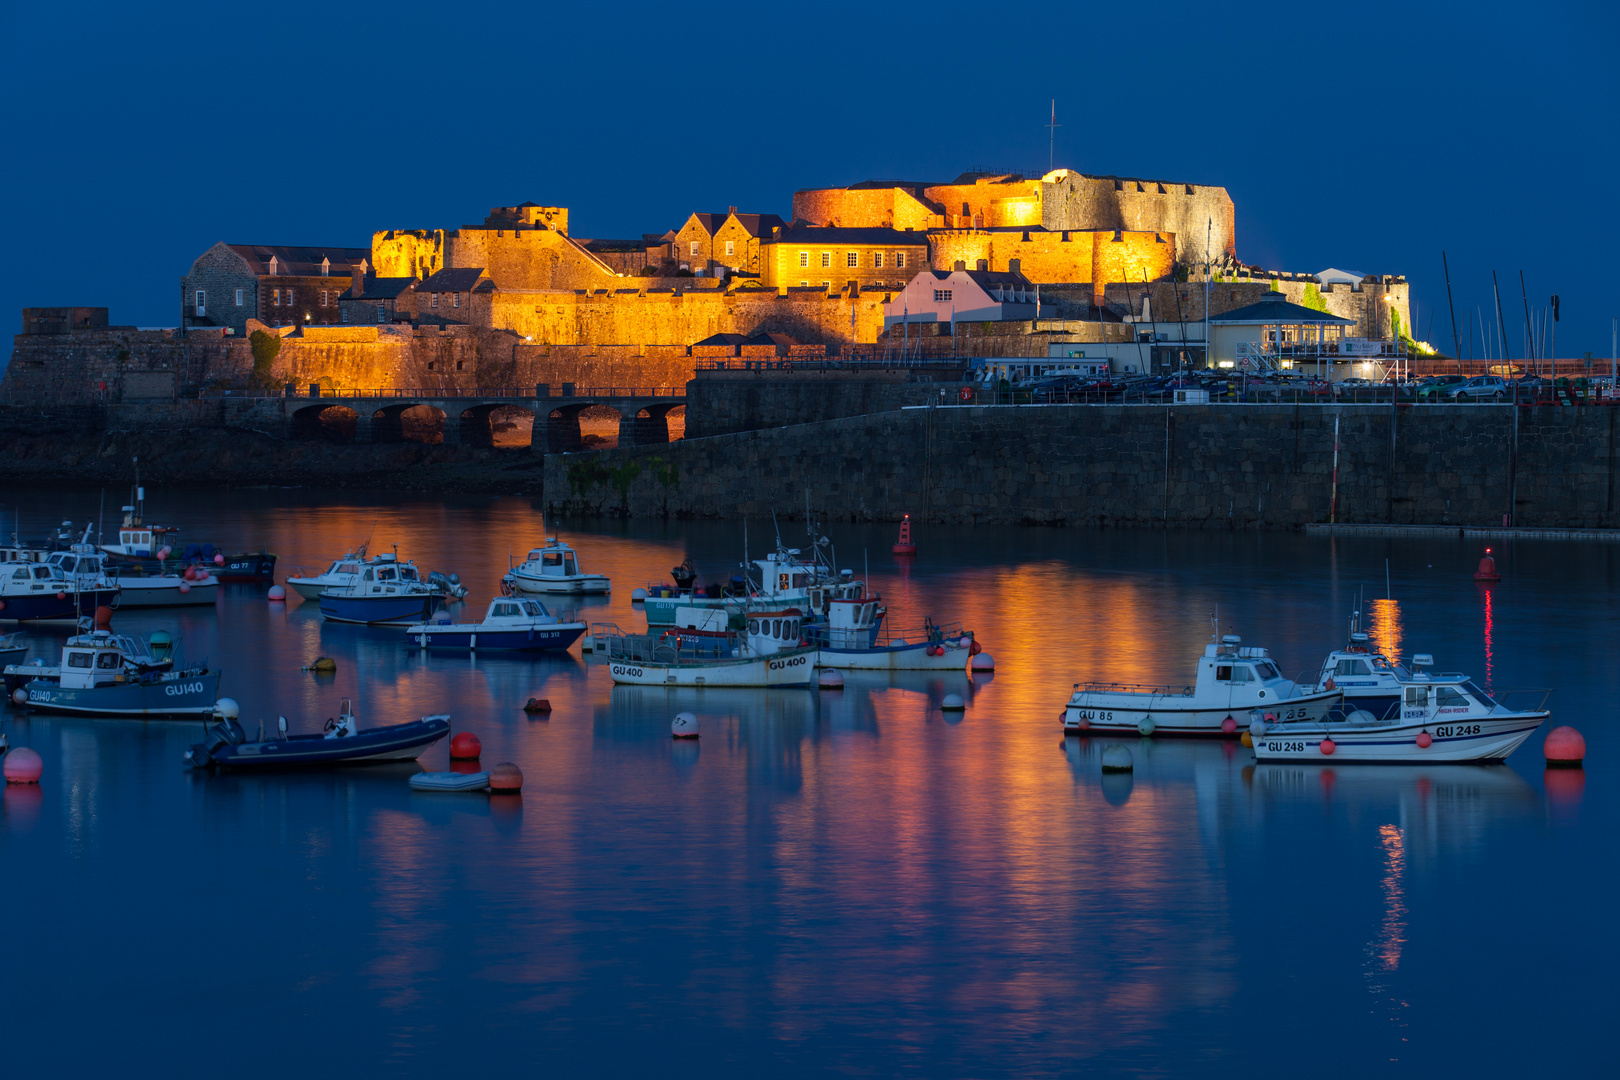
column 343, row 742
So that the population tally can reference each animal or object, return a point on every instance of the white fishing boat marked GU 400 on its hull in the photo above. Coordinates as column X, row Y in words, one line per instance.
column 707, row 652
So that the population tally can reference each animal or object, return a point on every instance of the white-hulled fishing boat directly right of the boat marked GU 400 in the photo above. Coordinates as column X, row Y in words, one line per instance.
column 855, row 637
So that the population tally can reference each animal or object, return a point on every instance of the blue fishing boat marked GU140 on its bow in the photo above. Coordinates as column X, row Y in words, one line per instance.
column 113, row 676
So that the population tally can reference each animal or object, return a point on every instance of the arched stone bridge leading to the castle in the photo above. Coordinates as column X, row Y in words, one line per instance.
column 467, row 415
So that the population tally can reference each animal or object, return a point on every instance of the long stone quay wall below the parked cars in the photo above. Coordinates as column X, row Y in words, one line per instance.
column 1148, row 466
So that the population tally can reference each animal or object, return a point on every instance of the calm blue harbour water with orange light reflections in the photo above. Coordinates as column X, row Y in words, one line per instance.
column 827, row 883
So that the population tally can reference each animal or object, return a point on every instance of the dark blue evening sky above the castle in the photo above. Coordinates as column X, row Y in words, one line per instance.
column 1362, row 137
